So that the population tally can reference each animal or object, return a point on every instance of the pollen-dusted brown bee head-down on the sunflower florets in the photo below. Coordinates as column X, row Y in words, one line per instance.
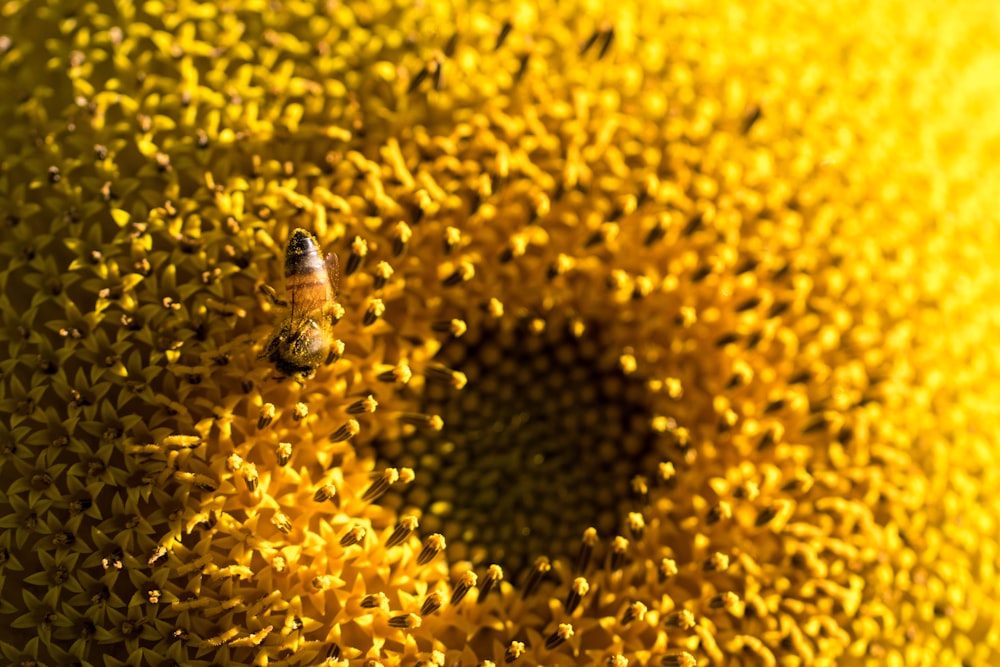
column 304, row 339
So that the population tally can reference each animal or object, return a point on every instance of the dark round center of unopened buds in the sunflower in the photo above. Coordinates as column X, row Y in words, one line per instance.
column 542, row 443
